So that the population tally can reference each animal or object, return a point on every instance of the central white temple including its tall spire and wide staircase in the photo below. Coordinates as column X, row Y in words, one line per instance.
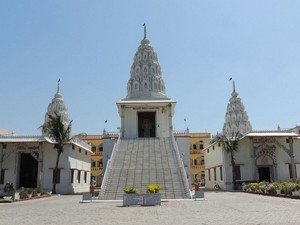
column 146, row 151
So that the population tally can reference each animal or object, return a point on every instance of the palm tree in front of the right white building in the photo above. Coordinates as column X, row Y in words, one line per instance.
column 230, row 145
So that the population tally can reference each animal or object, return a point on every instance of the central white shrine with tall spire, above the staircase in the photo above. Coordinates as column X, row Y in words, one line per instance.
column 146, row 111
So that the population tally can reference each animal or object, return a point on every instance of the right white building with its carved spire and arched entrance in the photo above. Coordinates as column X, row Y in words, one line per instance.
column 260, row 155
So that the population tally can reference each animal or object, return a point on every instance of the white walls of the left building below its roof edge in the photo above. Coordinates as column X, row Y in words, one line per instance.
column 69, row 159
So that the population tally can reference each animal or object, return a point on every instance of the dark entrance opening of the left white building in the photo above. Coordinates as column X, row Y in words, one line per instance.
column 28, row 171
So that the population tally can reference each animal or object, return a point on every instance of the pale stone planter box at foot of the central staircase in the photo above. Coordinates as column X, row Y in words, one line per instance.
column 142, row 199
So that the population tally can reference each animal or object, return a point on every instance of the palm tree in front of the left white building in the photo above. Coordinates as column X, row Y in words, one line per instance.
column 60, row 133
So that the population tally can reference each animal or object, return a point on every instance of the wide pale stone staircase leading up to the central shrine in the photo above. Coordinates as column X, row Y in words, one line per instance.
column 143, row 161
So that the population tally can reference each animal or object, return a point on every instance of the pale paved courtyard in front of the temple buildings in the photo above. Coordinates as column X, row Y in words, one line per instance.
column 218, row 208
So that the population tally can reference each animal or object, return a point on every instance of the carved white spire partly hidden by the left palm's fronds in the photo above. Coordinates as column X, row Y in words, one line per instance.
column 57, row 106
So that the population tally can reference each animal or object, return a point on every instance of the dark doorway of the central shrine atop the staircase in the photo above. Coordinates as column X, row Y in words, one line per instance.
column 146, row 123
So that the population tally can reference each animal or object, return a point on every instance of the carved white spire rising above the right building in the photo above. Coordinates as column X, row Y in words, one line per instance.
column 236, row 118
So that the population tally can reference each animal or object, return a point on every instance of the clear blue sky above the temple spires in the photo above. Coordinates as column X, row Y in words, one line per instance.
column 90, row 45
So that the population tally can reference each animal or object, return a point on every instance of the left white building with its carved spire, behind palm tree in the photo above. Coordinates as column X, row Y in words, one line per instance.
column 29, row 161
